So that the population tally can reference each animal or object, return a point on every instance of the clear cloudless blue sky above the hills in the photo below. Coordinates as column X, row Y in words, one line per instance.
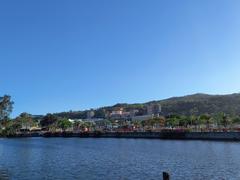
column 76, row 54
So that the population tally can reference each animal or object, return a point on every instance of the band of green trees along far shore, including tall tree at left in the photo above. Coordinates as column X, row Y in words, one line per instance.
column 53, row 122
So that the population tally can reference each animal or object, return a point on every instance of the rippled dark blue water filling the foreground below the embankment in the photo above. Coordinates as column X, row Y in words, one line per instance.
column 75, row 158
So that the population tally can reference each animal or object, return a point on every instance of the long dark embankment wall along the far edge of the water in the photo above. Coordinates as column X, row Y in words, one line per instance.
column 225, row 136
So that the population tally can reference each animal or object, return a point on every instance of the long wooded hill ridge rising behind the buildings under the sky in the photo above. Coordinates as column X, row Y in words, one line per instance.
column 196, row 104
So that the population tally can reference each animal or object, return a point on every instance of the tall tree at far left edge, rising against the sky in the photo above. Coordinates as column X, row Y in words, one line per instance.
column 6, row 106
